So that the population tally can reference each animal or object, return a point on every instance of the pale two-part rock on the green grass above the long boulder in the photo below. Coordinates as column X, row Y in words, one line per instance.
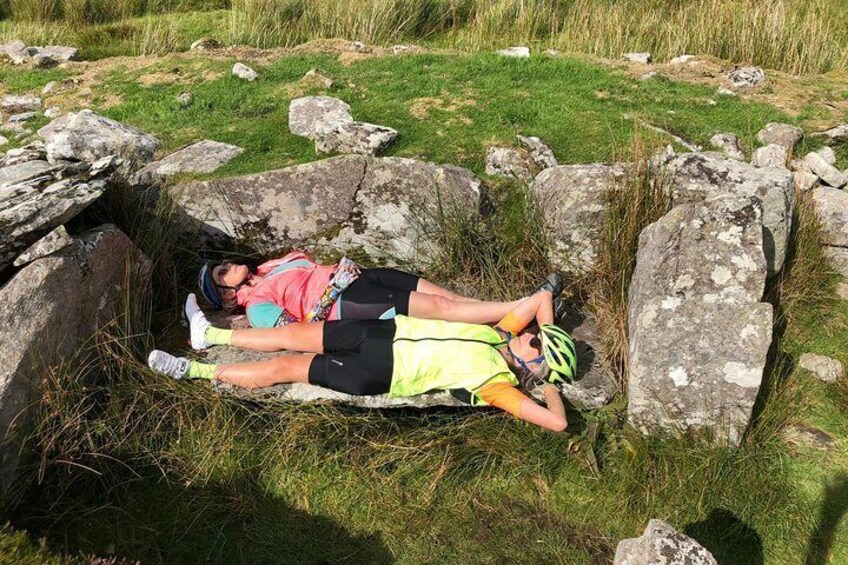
column 328, row 122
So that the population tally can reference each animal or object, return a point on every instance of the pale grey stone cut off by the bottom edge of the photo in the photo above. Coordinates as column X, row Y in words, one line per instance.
column 662, row 545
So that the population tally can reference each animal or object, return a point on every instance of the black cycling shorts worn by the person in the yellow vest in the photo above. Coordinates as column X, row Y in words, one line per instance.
column 357, row 357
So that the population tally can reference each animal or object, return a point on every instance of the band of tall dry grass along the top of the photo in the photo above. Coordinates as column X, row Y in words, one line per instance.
column 797, row 36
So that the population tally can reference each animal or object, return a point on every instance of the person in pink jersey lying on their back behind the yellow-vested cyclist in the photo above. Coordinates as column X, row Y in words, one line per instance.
column 295, row 288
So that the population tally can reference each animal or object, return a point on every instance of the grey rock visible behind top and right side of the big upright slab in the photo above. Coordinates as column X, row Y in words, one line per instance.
column 695, row 177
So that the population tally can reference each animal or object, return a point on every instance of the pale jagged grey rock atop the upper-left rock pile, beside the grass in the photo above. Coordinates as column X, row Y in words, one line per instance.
column 88, row 136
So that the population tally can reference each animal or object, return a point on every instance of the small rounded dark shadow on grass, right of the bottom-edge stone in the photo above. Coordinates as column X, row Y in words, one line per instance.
column 728, row 538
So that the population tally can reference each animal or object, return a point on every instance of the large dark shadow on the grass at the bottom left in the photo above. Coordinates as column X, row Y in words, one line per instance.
column 152, row 521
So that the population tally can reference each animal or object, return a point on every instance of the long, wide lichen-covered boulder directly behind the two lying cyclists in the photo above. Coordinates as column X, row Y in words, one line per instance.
column 385, row 206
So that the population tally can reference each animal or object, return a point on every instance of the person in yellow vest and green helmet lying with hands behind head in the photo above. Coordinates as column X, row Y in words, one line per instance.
column 403, row 357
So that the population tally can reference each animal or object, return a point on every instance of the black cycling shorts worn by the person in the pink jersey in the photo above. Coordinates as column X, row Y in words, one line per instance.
column 377, row 294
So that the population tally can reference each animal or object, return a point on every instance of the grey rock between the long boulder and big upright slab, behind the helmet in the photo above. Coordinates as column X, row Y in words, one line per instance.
column 574, row 200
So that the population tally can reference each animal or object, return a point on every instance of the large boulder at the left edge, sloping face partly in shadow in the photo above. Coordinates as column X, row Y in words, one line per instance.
column 50, row 308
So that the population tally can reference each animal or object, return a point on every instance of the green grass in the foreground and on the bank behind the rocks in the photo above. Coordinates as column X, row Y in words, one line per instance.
column 140, row 467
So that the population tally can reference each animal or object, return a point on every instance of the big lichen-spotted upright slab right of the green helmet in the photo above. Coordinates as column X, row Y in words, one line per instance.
column 699, row 333
